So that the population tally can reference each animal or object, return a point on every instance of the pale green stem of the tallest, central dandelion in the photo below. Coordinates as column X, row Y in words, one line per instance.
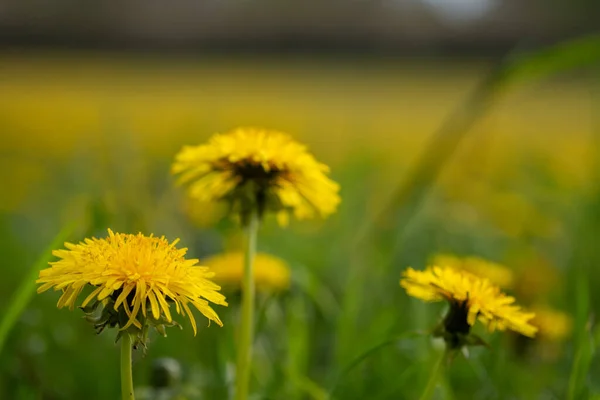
column 244, row 358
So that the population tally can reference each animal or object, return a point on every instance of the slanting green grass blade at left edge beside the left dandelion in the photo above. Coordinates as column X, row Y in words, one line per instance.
column 26, row 289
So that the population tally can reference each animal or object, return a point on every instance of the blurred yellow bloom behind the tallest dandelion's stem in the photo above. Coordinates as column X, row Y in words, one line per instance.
column 270, row 273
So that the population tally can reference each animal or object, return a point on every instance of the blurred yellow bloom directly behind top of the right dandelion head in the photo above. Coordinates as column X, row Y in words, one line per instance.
column 496, row 273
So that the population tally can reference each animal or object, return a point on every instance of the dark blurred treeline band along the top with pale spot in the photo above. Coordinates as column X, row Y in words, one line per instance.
column 478, row 26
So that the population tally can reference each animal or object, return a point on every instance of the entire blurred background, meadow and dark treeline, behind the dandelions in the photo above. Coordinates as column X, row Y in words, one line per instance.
column 464, row 128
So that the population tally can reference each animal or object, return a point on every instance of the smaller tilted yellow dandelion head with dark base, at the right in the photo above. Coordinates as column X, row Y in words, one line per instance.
column 470, row 298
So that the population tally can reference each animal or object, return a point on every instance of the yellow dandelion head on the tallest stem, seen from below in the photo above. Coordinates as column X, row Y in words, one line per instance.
column 258, row 169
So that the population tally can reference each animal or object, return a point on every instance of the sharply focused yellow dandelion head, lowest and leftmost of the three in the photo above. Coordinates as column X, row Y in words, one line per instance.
column 135, row 278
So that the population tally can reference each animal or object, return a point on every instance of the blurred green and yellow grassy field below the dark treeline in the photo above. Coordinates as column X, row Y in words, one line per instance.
column 88, row 139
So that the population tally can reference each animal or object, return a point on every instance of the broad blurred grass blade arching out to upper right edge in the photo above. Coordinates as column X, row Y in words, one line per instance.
column 516, row 66
